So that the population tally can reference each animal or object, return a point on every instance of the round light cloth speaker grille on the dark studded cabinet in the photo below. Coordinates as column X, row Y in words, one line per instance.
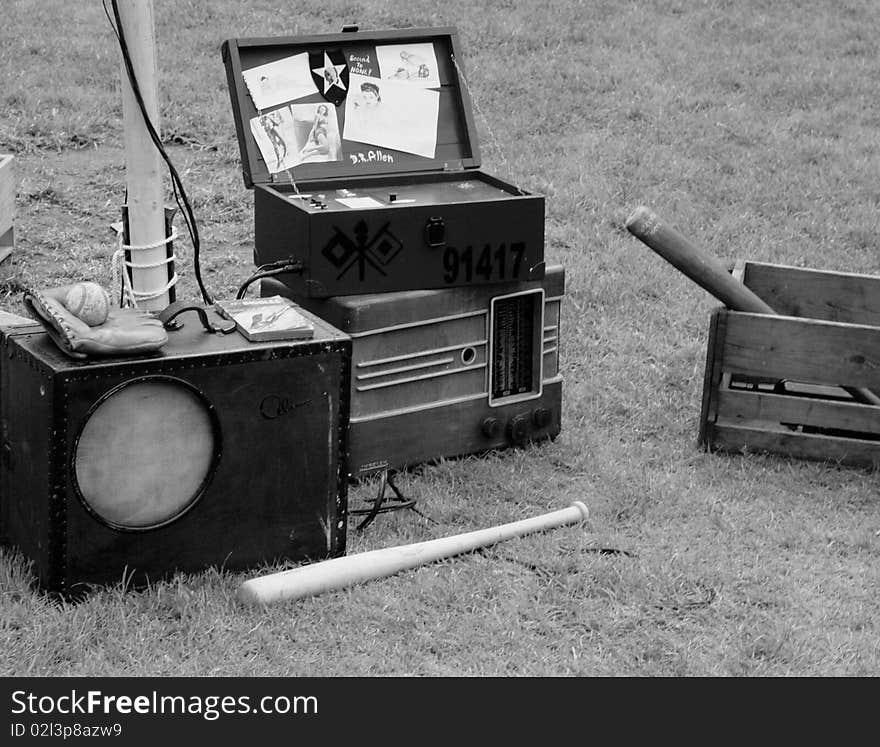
column 146, row 453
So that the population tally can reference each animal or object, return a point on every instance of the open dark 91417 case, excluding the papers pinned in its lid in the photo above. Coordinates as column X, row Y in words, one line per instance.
column 434, row 222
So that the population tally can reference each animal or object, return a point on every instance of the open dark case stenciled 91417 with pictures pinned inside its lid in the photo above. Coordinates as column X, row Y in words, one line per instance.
column 372, row 184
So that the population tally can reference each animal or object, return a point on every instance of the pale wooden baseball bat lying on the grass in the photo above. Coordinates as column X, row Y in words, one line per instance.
column 337, row 573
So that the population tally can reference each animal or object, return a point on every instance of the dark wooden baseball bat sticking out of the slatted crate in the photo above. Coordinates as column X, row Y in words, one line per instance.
column 708, row 272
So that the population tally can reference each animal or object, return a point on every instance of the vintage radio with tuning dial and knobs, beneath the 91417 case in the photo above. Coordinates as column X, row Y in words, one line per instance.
column 442, row 373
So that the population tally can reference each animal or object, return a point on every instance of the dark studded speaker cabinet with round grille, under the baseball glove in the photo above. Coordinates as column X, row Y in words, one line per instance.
column 215, row 451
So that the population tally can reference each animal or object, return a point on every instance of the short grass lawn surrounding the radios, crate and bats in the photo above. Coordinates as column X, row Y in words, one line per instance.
column 753, row 126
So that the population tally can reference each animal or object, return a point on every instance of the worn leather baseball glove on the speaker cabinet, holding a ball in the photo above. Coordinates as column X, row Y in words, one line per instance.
column 125, row 332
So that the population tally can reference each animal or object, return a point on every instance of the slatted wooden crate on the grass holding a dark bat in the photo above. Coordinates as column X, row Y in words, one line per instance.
column 775, row 383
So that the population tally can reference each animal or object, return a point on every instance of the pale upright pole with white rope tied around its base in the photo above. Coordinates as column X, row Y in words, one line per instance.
column 143, row 166
